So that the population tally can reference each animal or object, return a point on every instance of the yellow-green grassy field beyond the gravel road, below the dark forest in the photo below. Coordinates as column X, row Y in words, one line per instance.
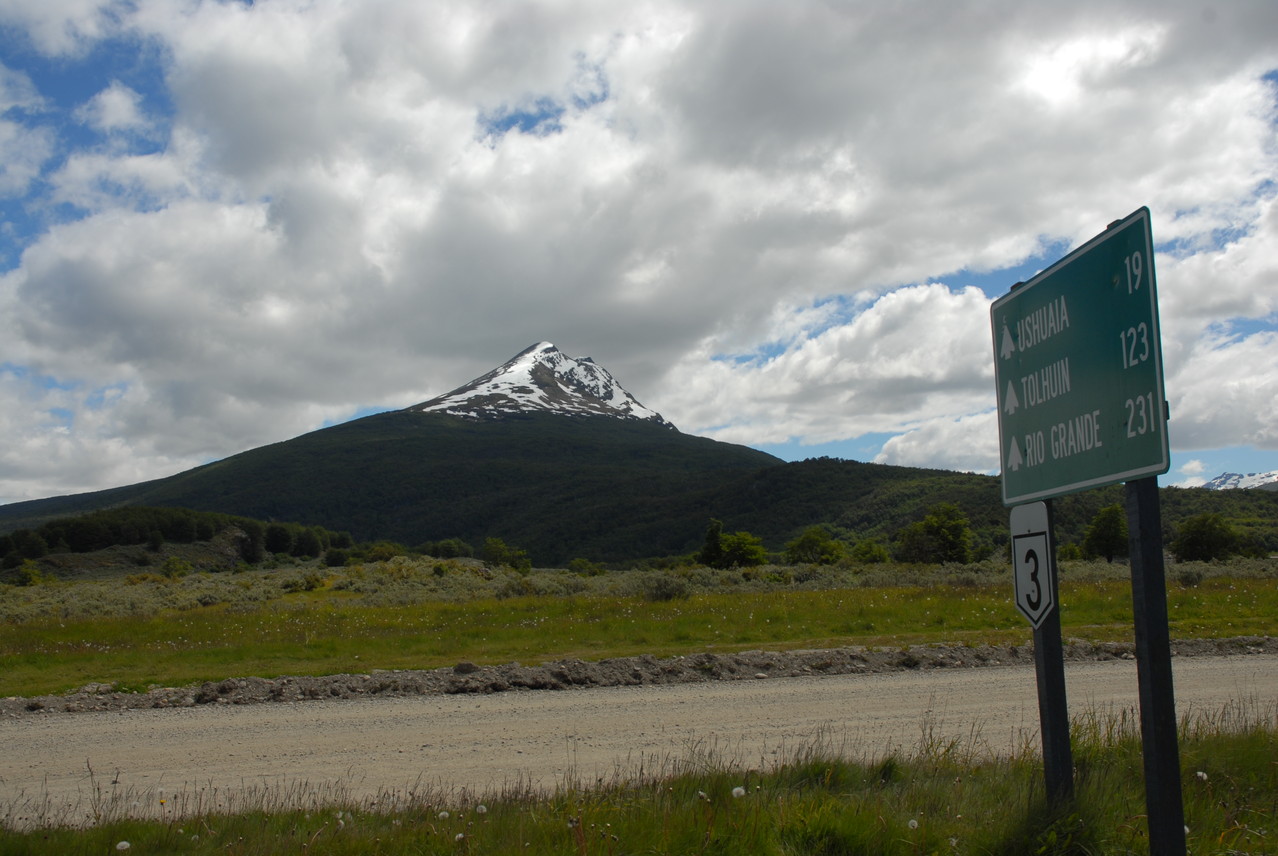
column 422, row 614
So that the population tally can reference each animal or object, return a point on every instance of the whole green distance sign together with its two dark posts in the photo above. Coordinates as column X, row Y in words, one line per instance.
column 1079, row 374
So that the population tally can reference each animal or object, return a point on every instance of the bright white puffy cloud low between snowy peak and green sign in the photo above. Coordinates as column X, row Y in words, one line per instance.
column 909, row 357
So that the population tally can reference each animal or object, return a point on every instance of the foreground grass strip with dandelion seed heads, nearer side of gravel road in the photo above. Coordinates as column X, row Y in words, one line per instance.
column 939, row 797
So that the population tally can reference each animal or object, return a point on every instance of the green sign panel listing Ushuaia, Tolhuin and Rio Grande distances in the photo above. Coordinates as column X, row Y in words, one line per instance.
column 1079, row 370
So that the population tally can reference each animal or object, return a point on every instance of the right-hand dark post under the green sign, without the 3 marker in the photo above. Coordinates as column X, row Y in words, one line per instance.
column 1164, row 802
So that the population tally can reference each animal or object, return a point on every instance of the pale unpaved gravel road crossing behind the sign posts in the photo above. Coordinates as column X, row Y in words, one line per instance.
column 452, row 745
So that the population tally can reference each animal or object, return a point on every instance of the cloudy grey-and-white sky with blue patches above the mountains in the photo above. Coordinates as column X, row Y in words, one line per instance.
column 779, row 224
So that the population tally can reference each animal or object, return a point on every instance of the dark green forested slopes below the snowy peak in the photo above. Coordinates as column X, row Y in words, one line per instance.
column 566, row 489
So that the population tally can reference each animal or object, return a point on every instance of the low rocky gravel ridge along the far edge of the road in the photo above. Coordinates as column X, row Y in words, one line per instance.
column 569, row 674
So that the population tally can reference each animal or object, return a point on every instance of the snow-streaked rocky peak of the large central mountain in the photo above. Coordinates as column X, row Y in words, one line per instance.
column 543, row 379
